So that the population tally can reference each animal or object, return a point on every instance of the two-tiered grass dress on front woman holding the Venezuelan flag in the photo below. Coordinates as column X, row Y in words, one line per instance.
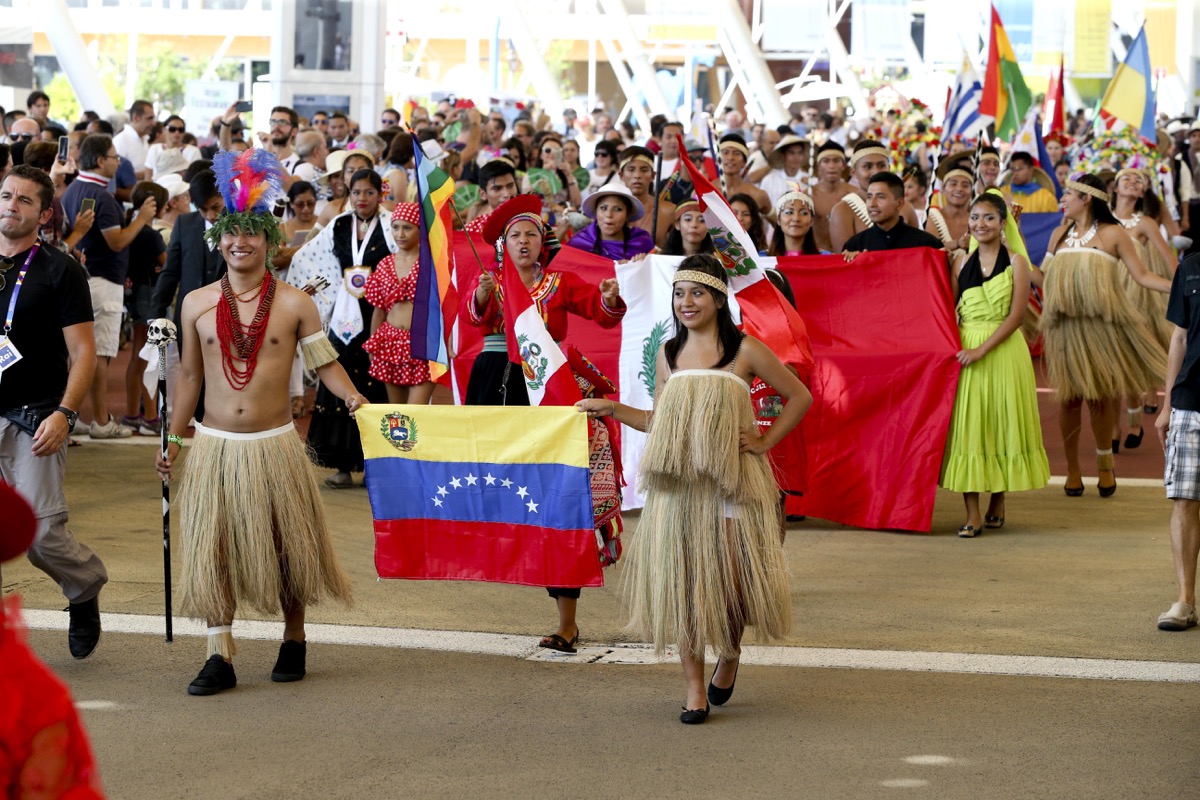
column 707, row 557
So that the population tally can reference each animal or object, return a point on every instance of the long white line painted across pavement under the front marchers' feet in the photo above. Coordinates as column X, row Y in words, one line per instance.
column 525, row 647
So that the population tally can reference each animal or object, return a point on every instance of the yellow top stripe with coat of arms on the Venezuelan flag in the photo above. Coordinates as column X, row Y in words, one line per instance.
column 548, row 435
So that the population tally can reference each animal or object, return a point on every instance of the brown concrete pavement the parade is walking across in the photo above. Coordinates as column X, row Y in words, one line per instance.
column 1073, row 579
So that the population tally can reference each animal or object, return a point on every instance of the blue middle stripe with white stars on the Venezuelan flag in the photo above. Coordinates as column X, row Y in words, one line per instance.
column 549, row 496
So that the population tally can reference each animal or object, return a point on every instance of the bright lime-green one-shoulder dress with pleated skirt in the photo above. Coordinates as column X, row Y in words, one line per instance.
column 995, row 440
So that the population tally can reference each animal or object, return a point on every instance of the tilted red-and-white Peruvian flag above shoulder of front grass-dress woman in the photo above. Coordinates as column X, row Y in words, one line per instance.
column 766, row 314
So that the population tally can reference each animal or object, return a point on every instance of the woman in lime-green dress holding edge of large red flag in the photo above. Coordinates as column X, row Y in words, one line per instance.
column 995, row 442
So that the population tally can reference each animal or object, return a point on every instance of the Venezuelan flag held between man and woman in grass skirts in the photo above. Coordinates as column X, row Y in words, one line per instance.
column 497, row 495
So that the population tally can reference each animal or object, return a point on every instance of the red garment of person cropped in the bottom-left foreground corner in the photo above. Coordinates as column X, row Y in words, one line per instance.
column 44, row 749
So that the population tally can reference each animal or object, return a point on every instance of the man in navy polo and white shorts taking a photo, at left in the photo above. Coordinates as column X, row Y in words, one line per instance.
column 106, row 248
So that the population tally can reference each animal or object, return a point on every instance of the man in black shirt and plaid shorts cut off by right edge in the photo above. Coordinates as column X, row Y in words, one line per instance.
column 1179, row 432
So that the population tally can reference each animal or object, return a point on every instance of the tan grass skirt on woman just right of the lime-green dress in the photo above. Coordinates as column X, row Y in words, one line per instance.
column 1097, row 345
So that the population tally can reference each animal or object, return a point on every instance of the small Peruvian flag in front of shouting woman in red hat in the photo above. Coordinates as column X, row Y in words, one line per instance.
column 548, row 376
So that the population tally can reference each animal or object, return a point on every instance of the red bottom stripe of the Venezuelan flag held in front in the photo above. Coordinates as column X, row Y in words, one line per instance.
column 436, row 550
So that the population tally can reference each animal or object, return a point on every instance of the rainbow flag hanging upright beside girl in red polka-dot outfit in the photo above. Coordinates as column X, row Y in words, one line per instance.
column 437, row 303
